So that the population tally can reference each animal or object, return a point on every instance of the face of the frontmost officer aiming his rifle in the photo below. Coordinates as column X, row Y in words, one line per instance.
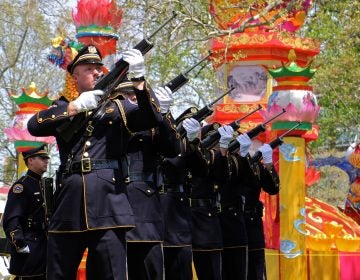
column 86, row 75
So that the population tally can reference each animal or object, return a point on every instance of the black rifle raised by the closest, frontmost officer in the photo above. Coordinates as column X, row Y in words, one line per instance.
column 108, row 83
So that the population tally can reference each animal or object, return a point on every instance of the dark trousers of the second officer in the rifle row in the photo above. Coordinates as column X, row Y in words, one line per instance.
column 145, row 260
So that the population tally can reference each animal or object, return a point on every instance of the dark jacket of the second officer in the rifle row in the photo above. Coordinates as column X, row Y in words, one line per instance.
column 143, row 156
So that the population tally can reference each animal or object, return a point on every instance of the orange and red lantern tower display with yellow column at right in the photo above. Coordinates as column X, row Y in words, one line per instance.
column 271, row 66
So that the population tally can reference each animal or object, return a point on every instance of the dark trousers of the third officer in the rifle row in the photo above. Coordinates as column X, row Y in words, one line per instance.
column 178, row 263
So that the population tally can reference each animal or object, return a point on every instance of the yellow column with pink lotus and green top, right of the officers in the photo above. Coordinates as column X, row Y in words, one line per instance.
column 293, row 93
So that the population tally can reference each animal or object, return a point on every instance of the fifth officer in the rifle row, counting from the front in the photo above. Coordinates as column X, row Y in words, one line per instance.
column 235, row 253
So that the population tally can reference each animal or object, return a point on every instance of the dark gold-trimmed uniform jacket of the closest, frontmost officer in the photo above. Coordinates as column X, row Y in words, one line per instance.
column 94, row 199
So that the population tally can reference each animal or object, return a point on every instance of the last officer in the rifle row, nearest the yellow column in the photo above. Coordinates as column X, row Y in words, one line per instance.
column 251, row 180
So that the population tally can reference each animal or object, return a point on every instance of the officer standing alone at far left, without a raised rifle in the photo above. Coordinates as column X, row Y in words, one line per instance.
column 24, row 219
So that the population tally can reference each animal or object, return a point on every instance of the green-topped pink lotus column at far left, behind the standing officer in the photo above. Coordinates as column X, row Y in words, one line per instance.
column 29, row 102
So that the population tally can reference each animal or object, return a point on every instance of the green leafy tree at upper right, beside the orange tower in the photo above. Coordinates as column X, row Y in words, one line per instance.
column 337, row 25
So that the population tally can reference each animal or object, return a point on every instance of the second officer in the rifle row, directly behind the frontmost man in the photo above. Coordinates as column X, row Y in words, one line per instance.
column 145, row 149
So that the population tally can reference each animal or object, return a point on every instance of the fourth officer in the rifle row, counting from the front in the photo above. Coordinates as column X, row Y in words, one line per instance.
column 207, row 241
